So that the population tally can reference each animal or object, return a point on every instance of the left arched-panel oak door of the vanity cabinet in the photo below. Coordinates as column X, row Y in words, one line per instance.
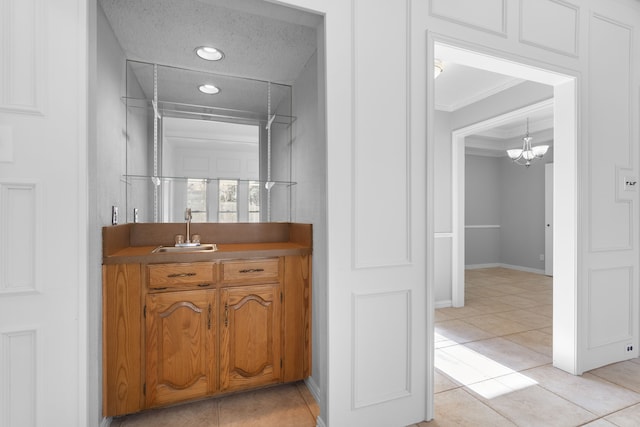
column 180, row 346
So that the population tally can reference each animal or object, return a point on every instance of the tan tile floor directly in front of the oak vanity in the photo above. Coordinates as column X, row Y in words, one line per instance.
column 288, row 405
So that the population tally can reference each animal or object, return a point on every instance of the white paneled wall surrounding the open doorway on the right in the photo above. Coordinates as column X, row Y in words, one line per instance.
column 378, row 119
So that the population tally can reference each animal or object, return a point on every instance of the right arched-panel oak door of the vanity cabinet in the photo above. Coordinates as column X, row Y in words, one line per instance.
column 250, row 336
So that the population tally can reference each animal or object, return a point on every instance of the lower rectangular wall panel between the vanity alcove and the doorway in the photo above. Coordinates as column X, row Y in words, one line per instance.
column 381, row 353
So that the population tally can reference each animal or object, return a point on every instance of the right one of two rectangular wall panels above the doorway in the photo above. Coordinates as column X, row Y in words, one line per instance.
column 536, row 16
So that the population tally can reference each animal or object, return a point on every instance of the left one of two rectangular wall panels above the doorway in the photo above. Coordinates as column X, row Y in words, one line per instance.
column 473, row 14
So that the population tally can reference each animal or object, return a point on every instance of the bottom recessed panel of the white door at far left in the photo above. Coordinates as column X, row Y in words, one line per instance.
column 18, row 388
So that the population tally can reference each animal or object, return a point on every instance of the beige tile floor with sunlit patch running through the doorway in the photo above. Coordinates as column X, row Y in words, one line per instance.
column 493, row 363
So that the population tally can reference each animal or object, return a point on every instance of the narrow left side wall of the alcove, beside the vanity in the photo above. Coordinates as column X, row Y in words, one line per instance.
column 107, row 160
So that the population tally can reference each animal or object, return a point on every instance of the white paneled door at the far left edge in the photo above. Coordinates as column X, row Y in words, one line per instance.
column 43, row 213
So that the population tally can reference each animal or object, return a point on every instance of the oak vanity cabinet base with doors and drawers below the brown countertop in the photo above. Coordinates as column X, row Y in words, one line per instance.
column 174, row 332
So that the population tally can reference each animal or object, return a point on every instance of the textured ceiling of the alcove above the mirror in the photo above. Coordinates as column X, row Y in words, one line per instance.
column 260, row 40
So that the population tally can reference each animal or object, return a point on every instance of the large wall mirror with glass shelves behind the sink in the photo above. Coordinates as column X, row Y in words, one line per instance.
column 220, row 145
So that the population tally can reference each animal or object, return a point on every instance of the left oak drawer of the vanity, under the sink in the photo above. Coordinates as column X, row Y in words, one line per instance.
column 200, row 274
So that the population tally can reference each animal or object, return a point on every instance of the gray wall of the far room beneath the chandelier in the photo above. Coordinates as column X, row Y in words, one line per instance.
column 499, row 192
